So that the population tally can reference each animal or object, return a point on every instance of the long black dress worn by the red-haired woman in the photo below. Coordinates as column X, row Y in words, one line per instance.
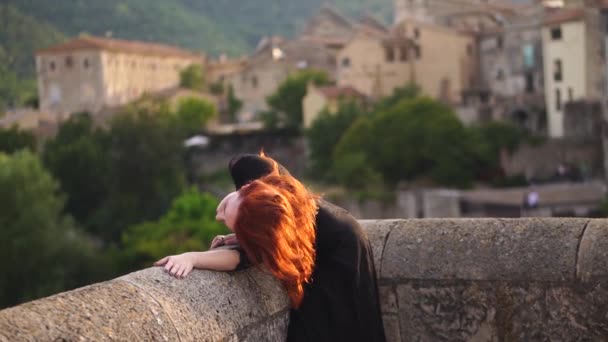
column 341, row 303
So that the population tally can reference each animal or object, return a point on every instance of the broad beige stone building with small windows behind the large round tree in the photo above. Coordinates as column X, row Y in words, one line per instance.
column 439, row 59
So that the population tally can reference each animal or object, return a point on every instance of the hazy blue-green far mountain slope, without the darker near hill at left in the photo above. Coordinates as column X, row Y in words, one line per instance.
column 214, row 26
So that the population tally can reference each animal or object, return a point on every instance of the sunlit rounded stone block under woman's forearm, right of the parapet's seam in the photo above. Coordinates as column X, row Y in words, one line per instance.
column 238, row 306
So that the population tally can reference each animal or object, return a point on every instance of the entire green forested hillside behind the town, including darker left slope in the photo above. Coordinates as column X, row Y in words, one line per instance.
column 233, row 27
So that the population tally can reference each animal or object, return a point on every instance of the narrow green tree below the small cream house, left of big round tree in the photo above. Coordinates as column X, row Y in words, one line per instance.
column 325, row 133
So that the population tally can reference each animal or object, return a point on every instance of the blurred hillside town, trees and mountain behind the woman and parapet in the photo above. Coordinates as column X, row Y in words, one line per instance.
column 118, row 118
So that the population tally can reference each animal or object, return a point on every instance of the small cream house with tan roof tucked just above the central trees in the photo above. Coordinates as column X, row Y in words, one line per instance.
column 327, row 98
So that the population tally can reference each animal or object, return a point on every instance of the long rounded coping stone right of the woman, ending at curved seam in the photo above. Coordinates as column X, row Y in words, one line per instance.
column 483, row 249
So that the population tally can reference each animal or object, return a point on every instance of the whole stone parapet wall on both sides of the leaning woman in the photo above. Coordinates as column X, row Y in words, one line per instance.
column 440, row 280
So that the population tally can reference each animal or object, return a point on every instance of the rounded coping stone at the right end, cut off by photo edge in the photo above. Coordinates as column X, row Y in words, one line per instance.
column 593, row 252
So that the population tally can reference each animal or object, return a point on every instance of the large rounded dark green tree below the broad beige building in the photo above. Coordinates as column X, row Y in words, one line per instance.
column 415, row 138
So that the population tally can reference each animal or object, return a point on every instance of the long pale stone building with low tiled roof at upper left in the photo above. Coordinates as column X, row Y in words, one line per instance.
column 90, row 73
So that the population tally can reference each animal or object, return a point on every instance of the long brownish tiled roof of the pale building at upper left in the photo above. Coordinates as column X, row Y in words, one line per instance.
column 118, row 45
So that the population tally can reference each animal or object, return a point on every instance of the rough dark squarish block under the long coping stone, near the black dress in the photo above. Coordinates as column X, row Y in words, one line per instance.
column 458, row 312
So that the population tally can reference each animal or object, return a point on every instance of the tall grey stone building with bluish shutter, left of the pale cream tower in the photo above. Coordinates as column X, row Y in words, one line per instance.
column 511, row 70
